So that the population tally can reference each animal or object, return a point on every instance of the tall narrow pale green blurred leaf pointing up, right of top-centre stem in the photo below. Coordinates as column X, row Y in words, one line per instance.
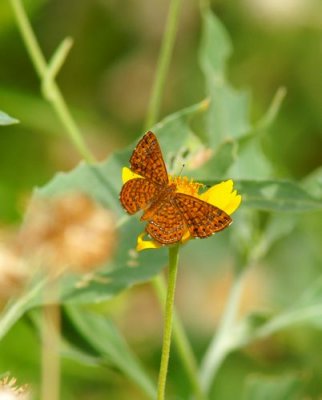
column 227, row 116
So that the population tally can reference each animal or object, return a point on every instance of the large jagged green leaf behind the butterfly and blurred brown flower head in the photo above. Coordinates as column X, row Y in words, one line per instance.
column 103, row 183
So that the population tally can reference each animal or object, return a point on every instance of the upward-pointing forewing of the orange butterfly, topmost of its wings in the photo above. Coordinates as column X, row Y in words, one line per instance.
column 147, row 160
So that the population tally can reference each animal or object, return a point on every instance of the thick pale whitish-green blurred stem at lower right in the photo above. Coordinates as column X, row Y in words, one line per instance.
column 223, row 341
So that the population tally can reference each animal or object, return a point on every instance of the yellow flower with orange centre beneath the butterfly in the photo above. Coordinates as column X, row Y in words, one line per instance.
column 221, row 195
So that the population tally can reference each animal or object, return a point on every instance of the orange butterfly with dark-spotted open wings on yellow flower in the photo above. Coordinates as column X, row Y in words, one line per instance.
column 169, row 214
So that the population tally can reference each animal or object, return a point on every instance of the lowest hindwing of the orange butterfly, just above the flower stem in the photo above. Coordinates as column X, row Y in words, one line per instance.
column 167, row 225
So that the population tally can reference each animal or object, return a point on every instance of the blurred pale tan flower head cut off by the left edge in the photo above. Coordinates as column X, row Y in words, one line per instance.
column 13, row 272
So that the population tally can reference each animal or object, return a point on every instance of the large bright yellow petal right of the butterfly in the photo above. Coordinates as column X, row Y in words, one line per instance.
column 223, row 196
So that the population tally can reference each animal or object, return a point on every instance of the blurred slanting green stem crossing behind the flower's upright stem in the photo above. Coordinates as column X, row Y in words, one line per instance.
column 181, row 341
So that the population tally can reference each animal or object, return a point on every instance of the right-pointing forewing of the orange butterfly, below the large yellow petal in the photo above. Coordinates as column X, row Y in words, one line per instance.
column 201, row 218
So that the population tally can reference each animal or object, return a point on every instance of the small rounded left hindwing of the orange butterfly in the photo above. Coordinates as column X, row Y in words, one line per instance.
column 137, row 194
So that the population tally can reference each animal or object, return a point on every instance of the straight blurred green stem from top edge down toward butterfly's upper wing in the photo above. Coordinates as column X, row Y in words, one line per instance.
column 163, row 63
